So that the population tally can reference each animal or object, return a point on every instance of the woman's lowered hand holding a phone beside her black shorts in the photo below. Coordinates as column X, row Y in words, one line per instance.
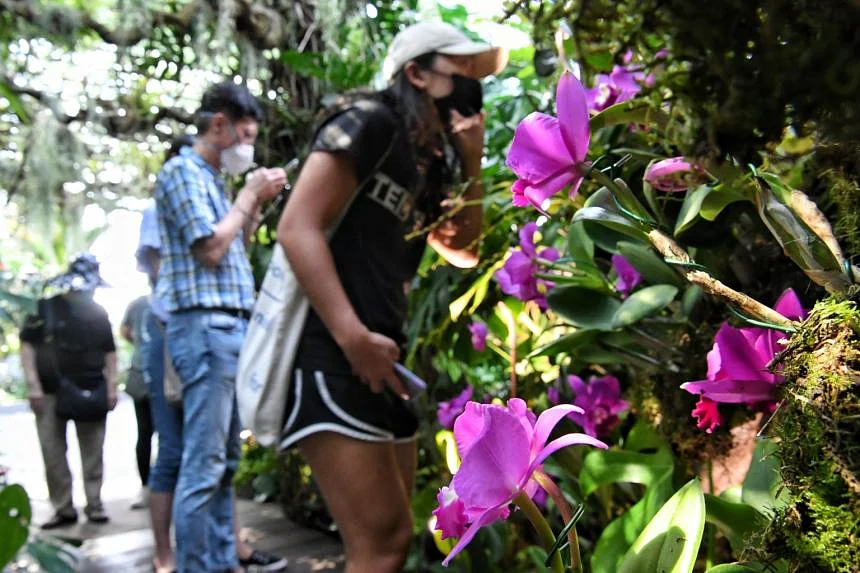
column 372, row 357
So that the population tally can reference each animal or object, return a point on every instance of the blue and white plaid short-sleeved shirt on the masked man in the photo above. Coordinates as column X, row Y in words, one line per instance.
column 191, row 200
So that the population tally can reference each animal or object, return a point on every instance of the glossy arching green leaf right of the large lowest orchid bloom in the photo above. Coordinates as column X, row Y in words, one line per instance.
column 602, row 467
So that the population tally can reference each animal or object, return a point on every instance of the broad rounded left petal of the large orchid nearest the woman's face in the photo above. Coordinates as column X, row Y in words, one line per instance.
column 538, row 151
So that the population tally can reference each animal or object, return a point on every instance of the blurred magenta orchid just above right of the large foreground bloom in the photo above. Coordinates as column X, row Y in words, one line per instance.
column 600, row 402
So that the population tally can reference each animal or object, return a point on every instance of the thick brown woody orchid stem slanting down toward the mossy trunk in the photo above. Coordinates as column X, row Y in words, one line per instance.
column 667, row 247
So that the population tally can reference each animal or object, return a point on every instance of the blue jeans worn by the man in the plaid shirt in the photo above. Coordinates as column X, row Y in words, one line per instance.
column 204, row 347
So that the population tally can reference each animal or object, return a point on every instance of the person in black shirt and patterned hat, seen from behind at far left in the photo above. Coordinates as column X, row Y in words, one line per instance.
column 68, row 356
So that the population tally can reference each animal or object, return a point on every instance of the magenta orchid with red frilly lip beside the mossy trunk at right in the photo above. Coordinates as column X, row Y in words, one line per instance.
column 737, row 364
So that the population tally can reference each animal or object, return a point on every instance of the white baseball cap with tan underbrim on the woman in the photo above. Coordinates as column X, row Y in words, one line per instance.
column 441, row 38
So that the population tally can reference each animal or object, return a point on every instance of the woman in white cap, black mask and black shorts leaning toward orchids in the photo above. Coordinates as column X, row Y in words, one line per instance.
column 390, row 162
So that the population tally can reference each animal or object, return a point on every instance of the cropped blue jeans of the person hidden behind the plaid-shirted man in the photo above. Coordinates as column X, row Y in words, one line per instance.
column 166, row 419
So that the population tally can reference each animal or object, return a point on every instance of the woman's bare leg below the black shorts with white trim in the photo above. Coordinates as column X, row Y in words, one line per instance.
column 370, row 506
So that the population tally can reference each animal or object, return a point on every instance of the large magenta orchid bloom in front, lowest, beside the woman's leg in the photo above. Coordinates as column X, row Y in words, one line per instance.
column 501, row 448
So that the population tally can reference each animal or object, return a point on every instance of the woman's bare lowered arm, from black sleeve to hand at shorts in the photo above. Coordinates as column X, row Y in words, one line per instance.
column 325, row 186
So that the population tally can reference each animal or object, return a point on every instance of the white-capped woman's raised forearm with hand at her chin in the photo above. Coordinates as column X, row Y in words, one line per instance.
column 457, row 237
